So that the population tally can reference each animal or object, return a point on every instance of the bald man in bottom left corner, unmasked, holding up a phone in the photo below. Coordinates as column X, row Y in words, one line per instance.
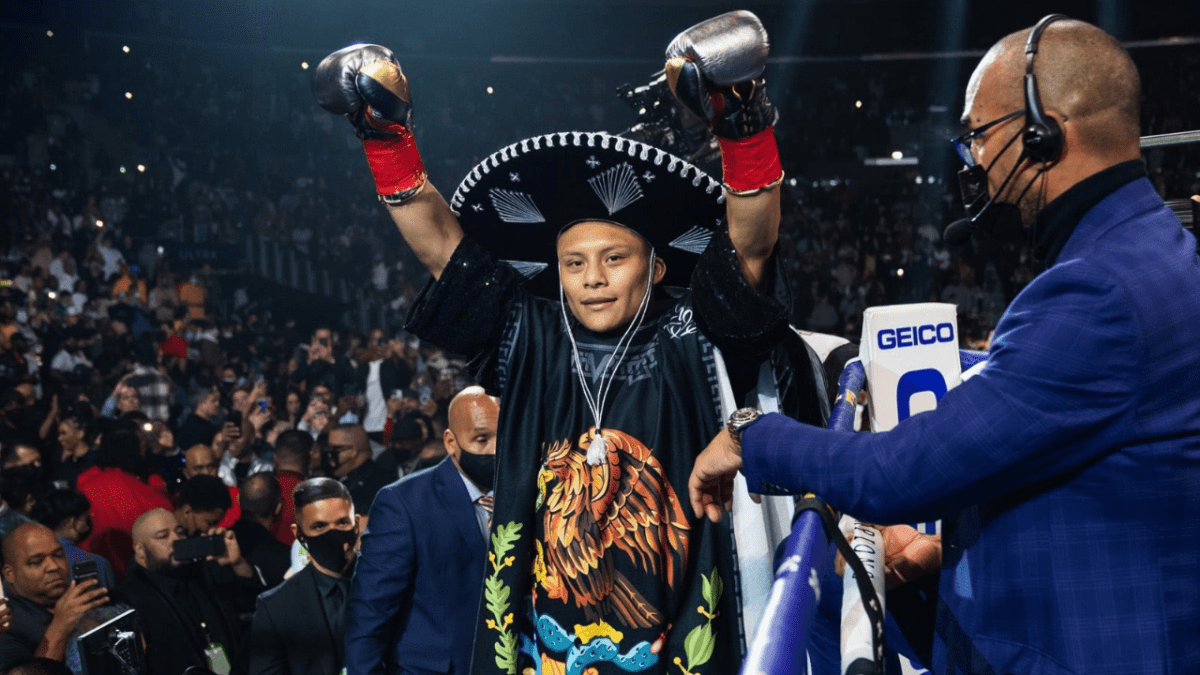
column 46, row 604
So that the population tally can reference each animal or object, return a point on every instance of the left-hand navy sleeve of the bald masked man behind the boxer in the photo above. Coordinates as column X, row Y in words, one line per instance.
column 382, row 580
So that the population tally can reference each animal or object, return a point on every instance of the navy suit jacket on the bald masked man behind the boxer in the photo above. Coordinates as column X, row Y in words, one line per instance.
column 416, row 593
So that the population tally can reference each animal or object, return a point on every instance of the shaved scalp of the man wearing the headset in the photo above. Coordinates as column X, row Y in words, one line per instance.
column 1084, row 75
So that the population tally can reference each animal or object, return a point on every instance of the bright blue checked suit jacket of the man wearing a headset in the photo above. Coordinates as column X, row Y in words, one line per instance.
column 1067, row 471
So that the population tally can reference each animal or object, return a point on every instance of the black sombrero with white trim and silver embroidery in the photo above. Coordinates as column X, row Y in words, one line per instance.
column 518, row 201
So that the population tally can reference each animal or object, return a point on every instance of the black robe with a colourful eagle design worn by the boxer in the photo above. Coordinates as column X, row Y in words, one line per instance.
column 603, row 568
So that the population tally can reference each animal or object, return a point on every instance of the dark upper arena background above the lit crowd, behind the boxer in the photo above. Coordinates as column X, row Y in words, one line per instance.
column 187, row 132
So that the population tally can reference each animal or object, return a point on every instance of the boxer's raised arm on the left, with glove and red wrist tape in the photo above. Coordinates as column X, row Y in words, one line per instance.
column 364, row 82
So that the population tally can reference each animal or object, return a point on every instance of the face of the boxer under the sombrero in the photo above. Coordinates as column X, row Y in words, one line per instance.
column 603, row 268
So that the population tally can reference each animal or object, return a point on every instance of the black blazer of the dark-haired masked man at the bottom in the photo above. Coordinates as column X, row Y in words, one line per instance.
column 291, row 634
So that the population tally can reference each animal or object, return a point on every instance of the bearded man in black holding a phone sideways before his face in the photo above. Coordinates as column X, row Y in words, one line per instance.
column 189, row 601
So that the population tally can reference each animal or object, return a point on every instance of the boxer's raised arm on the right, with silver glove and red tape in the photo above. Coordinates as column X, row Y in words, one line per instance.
column 716, row 70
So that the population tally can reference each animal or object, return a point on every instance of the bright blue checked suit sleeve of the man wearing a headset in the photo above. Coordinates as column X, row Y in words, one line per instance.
column 1058, row 392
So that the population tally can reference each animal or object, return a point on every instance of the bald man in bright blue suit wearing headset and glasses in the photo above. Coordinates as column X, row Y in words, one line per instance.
column 1067, row 471
